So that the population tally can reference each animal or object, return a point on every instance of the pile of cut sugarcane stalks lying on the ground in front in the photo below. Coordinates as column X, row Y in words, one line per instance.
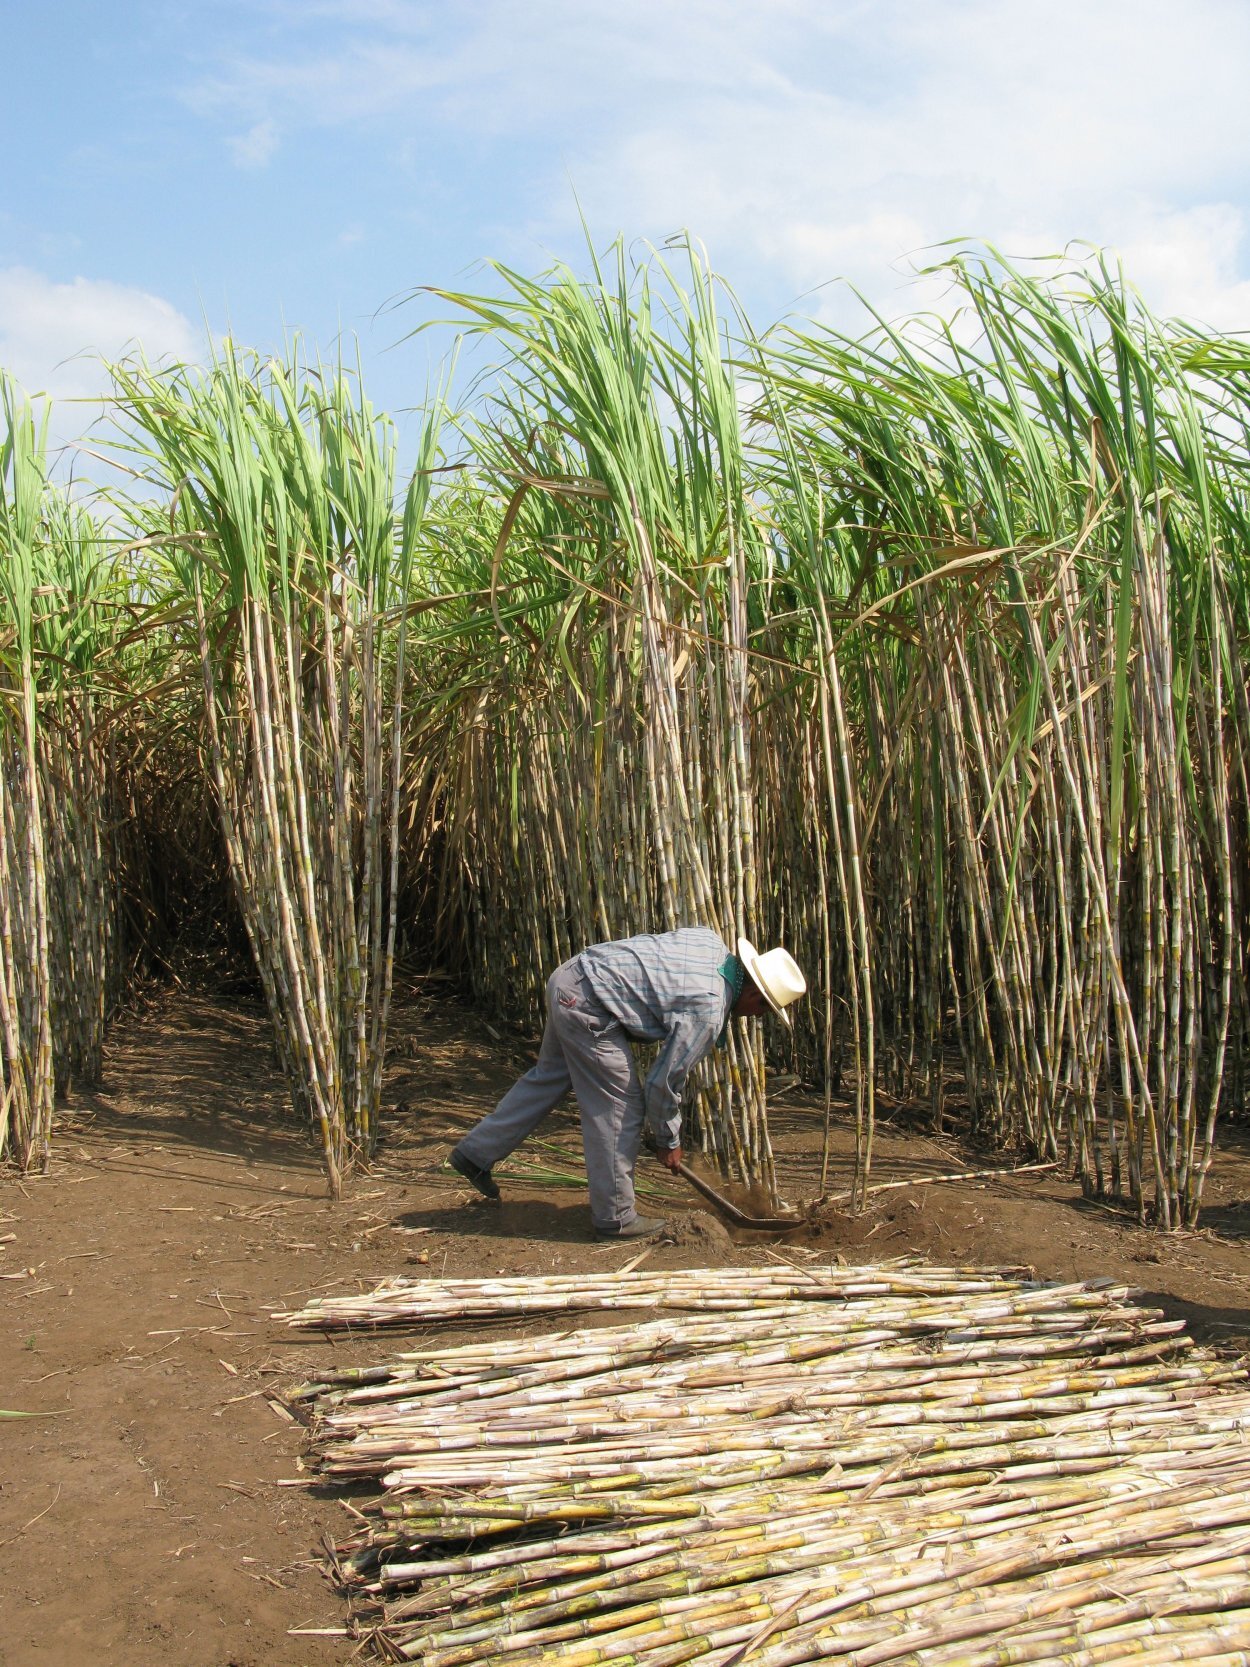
column 882, row 1464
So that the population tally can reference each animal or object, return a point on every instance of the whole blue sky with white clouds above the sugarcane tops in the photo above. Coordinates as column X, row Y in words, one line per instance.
column 267, row 164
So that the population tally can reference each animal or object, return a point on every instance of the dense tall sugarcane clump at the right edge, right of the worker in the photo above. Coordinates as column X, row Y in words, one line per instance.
column 1057, row 491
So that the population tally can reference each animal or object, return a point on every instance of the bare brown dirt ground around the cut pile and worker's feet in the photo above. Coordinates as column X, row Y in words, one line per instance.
column 144, row 1516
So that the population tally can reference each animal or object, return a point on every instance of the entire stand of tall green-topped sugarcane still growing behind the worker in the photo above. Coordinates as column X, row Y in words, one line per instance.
column 927, row 663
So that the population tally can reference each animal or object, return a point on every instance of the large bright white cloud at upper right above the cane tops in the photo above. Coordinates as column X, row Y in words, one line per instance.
column 1092, row 119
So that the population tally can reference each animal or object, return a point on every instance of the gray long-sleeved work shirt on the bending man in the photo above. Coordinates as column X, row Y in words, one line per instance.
column 666, row 988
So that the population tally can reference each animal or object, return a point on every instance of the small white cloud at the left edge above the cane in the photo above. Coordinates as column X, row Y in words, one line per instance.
column 52, row 336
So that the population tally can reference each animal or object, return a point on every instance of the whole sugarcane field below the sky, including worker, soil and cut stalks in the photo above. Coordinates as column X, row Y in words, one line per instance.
column 626, row 998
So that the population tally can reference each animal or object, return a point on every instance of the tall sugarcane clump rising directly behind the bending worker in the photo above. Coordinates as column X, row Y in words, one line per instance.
column 632, row 546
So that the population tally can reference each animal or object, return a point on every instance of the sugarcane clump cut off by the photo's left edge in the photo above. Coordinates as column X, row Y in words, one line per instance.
column 57, row 883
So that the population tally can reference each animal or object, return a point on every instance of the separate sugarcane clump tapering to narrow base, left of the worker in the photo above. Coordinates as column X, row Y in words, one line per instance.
column 287, row 544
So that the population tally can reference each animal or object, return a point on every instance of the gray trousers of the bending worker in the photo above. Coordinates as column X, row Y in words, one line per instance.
column 587, row 1051
